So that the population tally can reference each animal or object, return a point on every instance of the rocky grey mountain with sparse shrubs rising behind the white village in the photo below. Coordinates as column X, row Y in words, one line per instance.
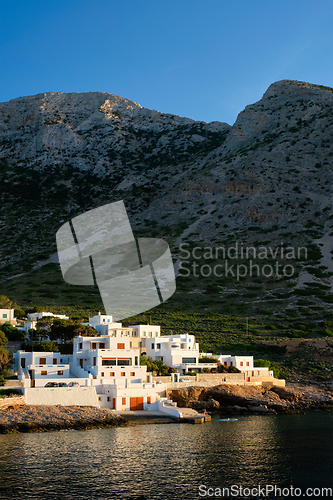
column 264, row 182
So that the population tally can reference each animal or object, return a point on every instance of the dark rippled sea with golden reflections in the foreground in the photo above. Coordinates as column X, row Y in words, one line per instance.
column 170, row 461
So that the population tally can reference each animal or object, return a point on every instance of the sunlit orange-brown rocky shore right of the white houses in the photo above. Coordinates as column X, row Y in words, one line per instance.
column 249, row 399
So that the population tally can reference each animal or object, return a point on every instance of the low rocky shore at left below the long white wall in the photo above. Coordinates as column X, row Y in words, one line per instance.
column 25, row 418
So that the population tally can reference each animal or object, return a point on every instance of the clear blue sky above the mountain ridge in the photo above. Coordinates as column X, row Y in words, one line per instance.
column 205, row 59
